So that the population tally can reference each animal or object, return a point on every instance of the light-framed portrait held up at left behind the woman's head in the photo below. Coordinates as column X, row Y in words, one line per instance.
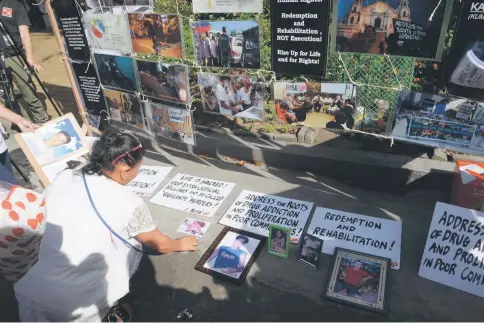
column 45, row 166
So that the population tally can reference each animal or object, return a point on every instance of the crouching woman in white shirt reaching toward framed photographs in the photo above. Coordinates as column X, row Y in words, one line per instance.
column 93, row 239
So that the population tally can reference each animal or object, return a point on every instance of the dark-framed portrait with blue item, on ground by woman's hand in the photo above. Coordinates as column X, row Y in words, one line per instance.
column 231, row 255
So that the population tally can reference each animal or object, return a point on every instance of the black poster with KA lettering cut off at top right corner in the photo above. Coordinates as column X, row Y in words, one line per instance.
column 464, row 66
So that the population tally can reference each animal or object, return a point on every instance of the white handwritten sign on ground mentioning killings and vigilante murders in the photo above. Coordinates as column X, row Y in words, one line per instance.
column 192, row 194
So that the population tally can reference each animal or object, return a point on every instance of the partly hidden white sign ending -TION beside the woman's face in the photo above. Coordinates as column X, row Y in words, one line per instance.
column 148, row 179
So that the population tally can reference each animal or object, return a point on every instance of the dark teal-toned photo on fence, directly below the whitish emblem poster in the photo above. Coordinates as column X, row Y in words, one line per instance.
column 116, row 72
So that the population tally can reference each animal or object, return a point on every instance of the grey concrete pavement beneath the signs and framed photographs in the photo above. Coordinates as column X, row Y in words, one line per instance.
column 285, row 290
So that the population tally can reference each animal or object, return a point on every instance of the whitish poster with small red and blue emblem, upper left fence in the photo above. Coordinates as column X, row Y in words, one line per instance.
column 108, row 31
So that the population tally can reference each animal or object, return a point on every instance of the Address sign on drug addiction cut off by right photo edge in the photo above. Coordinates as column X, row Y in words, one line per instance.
column 454, row 252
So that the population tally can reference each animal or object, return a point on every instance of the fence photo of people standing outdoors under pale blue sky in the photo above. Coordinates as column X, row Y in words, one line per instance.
column 231, row 43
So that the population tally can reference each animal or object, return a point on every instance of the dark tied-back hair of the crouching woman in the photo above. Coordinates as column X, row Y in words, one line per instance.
column 113, row 144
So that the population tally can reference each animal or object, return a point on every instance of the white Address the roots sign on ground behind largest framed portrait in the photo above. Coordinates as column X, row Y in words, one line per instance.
column 255, row 212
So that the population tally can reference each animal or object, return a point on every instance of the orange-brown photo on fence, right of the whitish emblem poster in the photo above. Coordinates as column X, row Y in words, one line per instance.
column 156, row 34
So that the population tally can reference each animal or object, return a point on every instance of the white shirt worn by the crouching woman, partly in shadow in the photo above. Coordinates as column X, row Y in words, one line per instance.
column 83, row 269
